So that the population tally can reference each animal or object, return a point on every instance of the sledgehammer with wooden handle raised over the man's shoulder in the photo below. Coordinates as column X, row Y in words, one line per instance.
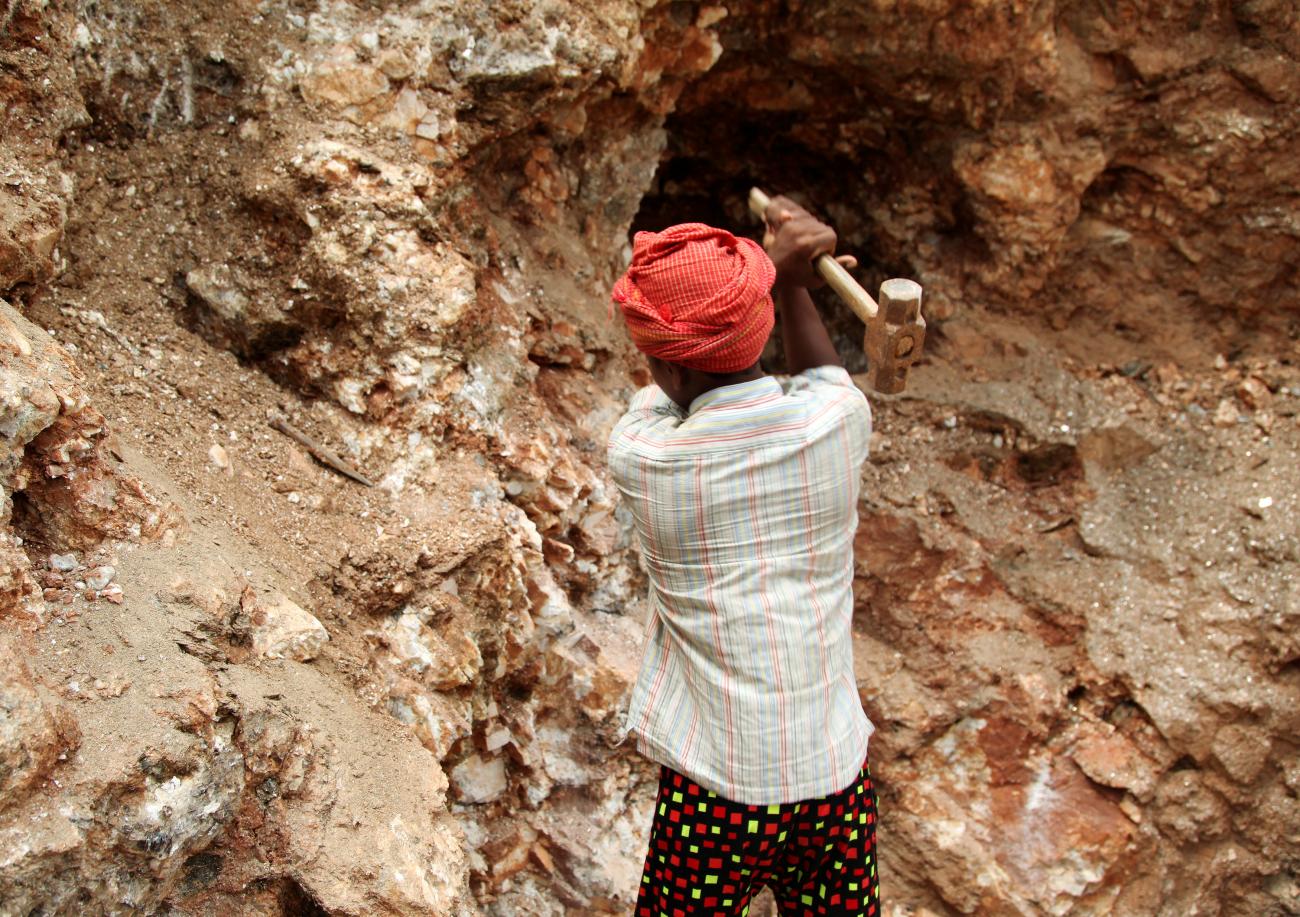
column 895, row 334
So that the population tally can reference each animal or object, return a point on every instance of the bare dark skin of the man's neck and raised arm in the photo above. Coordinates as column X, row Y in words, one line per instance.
column 794, row 239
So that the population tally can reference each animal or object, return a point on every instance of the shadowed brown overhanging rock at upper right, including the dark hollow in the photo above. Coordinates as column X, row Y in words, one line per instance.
column 1072, row 159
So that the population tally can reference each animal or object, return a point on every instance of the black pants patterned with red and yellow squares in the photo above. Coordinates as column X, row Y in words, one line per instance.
column 709, row 855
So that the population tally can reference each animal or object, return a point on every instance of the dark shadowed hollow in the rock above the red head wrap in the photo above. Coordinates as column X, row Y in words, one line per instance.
column 762, row 116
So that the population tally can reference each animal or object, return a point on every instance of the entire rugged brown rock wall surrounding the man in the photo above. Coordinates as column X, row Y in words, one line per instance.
column 396, row 226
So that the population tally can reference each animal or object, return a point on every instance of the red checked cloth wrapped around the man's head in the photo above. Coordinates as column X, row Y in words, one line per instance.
column 699, row 297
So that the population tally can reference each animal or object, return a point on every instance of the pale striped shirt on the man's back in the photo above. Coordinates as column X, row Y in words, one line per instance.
column 746, row 508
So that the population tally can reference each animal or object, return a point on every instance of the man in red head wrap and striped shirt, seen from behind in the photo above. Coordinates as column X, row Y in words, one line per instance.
column 744, row 495
